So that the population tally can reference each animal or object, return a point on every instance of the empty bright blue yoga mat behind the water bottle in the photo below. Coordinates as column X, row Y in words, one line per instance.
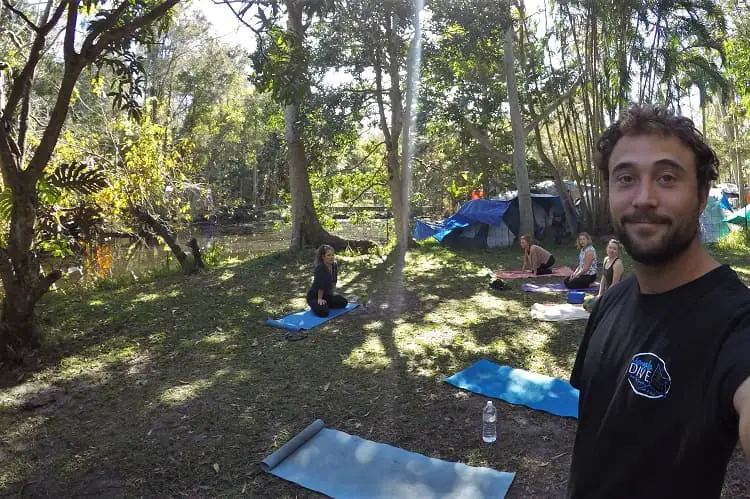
column 517, row 386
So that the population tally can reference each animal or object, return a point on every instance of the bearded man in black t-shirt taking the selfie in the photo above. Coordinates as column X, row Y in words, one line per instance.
column 663, row 368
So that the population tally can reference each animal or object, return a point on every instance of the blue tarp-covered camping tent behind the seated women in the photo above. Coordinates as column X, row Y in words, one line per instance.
column 493, row 223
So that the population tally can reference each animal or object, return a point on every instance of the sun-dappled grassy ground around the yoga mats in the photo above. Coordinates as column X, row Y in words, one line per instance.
column 175, row 387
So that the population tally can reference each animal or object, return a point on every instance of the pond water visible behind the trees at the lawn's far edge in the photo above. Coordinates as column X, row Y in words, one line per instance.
column 117, row 259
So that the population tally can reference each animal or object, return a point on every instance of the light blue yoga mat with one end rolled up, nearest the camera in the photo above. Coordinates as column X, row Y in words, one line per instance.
column 345, row 466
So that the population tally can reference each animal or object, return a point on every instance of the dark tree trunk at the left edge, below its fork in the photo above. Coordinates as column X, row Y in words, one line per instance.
column 21, row 273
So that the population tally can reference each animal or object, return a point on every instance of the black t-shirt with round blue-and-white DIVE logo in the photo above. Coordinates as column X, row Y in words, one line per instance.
column 657, row 374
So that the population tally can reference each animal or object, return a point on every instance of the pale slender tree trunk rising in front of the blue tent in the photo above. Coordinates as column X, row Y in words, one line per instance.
column 519, row 138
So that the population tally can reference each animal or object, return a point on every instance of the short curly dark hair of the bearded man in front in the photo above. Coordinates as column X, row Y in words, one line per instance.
column 647, row 119
